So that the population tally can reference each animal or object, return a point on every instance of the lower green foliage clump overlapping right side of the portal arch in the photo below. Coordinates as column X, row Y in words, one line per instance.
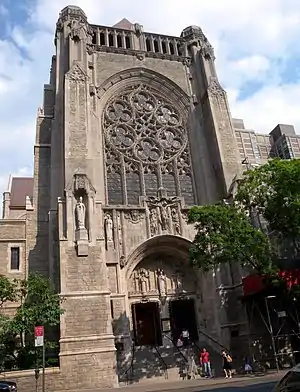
column 225, row 235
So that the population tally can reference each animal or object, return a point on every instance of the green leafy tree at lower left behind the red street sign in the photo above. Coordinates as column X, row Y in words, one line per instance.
column 37, row 304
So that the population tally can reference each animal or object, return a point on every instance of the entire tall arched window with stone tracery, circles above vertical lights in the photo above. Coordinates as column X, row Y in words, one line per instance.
column 146, row 147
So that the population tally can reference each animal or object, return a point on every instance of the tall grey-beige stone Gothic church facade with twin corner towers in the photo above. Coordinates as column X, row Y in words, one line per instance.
column 135, row 129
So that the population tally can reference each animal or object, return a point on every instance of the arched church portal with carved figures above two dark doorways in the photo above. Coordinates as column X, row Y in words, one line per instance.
column 162, row 292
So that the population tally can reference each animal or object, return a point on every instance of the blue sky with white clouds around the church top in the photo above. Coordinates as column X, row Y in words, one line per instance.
column 256, row 45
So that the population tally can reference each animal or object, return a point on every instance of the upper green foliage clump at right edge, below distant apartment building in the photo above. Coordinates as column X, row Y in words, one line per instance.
column 274, row 191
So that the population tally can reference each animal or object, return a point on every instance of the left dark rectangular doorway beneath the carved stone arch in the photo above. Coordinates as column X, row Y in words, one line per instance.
column 146, row 324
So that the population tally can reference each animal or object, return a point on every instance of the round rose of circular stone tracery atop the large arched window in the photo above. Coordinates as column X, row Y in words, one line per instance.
column 144, row 127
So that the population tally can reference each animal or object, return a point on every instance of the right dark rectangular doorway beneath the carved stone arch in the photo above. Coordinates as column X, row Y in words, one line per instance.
column 182, row 316
